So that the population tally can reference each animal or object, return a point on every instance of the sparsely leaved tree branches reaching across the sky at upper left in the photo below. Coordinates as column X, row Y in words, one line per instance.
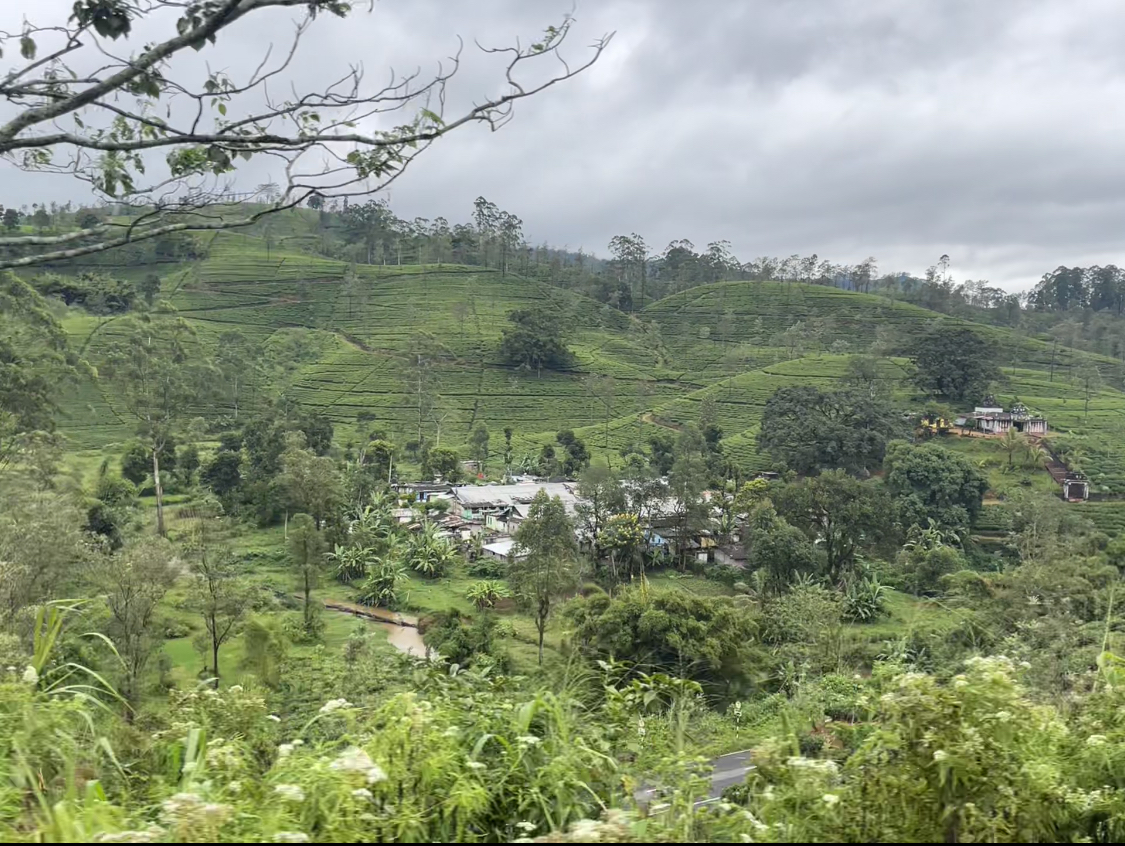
column 323, row 138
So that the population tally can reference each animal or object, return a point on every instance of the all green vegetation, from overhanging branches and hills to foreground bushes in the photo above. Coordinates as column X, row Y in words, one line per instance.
column 224, row 616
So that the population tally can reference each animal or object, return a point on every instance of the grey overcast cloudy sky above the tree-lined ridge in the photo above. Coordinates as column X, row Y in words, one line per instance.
column 992, row 131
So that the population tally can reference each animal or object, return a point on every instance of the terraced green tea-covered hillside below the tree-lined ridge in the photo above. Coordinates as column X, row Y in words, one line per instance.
column 345, row 348
